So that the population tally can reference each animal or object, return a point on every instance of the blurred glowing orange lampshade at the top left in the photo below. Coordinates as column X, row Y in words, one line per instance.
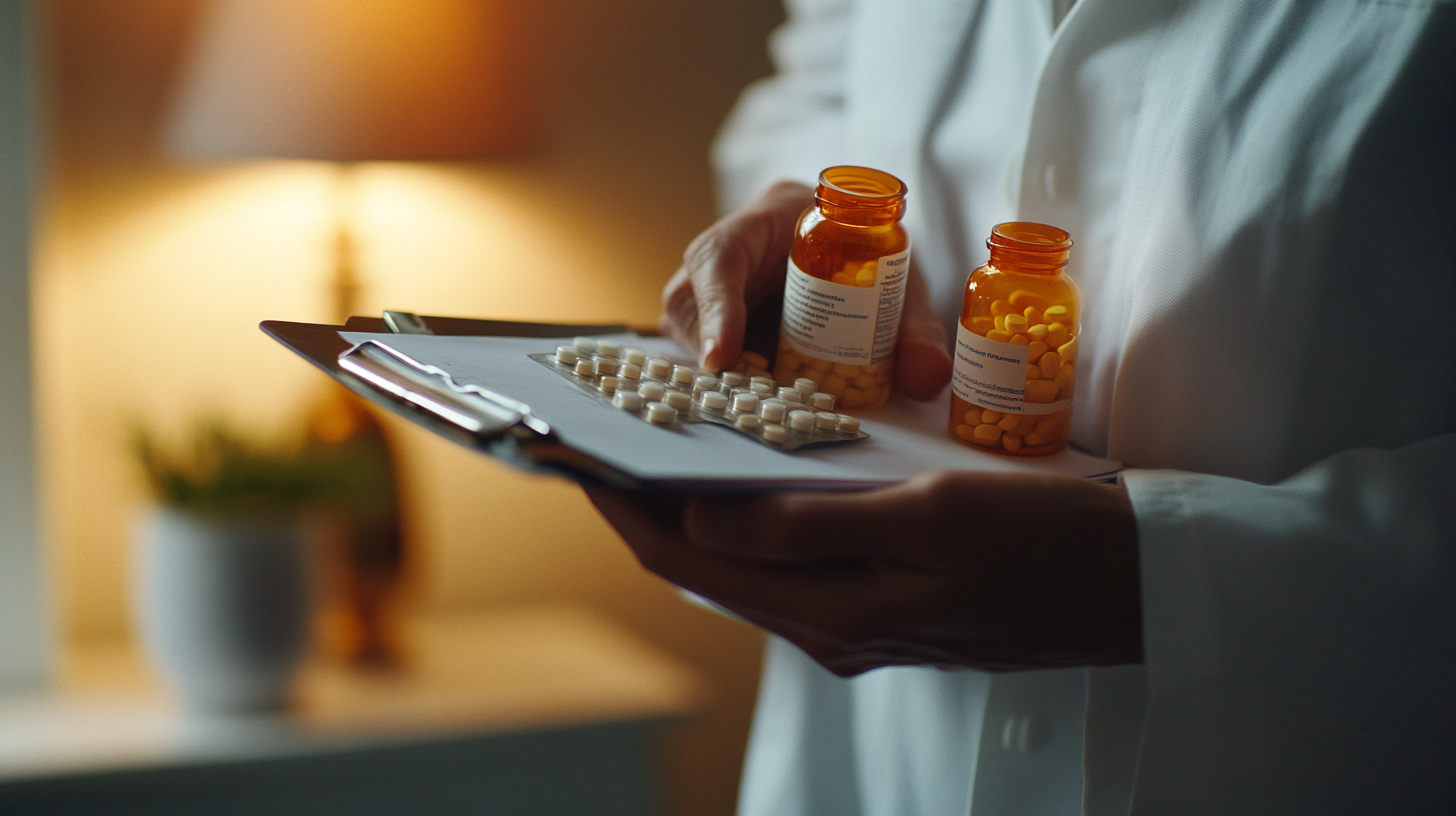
column 352, row 81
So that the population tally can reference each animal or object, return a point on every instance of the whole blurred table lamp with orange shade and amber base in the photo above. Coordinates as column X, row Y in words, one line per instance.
column 350, row 82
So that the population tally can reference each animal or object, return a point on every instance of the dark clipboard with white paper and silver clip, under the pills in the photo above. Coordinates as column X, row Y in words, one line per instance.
column 909, row 438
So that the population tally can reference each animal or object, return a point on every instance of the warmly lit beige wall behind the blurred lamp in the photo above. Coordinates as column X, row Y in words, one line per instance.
column 151, row 280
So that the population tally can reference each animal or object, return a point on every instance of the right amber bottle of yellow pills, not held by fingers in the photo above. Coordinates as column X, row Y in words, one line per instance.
column 1017, row 346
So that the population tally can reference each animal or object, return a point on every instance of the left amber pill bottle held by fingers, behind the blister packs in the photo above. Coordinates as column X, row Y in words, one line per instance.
column 845, row 288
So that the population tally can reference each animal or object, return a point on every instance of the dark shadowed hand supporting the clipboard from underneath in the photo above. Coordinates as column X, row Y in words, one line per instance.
column 995, row 572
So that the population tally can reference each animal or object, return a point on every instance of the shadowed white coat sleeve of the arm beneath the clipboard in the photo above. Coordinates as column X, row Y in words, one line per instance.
column 1301, row 639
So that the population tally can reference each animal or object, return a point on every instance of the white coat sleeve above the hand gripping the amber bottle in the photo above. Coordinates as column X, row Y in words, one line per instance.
column 791, row 125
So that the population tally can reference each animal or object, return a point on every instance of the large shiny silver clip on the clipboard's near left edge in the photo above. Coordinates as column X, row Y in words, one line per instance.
column 475, row 416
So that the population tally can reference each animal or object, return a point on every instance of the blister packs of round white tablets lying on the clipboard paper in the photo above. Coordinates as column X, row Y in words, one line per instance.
column 666, row 394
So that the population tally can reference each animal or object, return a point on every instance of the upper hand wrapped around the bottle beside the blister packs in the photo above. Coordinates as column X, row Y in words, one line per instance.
column 730, row 288
